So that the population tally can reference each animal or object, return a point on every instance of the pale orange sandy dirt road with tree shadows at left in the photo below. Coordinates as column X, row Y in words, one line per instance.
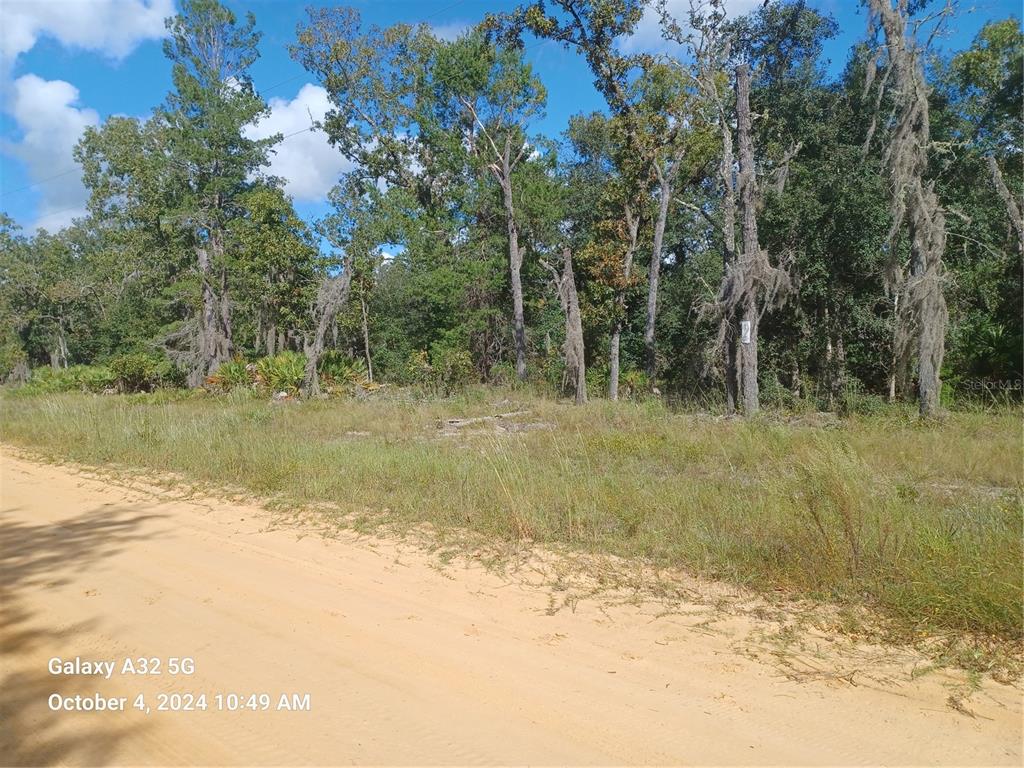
column 404, row 663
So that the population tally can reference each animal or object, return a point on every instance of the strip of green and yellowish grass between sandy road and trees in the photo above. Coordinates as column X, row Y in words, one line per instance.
column 920, row 522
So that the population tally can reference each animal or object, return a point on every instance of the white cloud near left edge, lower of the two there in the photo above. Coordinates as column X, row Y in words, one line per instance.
column 51, row 124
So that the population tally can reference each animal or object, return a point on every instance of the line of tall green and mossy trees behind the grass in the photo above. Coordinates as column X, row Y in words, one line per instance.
column 735, row 226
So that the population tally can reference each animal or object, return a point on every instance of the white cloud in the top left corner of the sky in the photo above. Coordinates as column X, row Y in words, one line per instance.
column 110, row 27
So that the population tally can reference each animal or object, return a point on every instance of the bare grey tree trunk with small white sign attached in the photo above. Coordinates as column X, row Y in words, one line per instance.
column 752, row 250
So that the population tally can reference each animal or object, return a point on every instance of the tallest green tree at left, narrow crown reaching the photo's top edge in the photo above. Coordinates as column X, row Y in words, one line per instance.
column 203, row 120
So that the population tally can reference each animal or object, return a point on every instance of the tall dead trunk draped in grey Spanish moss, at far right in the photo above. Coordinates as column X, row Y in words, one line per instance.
column 922, row 323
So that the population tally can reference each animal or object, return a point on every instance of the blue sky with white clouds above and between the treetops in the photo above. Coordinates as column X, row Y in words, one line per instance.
column 66, row 65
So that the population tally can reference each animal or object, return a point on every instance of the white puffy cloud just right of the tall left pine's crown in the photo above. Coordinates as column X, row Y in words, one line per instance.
column 308, row 163
